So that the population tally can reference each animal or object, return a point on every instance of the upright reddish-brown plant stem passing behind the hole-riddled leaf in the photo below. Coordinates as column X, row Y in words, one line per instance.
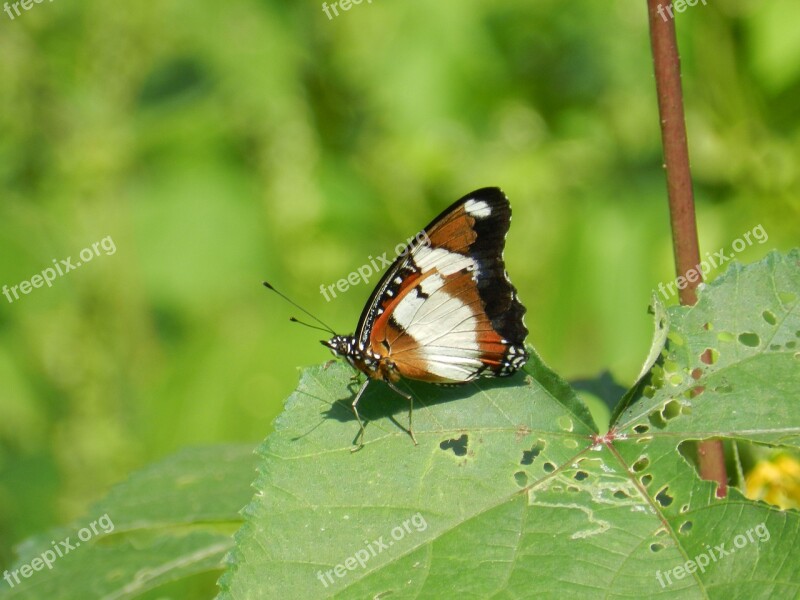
column 679, row 190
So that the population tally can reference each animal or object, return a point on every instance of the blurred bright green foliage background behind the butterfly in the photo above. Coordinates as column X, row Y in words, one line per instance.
column 219, row 144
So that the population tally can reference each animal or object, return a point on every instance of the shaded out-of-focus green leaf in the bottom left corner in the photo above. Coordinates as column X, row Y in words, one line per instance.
column 171, row 521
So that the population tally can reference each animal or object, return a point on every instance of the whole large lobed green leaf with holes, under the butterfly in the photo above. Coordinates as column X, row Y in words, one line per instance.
column 512, row 493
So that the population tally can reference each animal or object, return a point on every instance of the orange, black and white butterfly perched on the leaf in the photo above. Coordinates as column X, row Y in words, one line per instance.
column 445, row 312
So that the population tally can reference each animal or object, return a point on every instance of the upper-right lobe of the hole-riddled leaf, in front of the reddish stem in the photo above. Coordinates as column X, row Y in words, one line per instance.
column 748, row 321
